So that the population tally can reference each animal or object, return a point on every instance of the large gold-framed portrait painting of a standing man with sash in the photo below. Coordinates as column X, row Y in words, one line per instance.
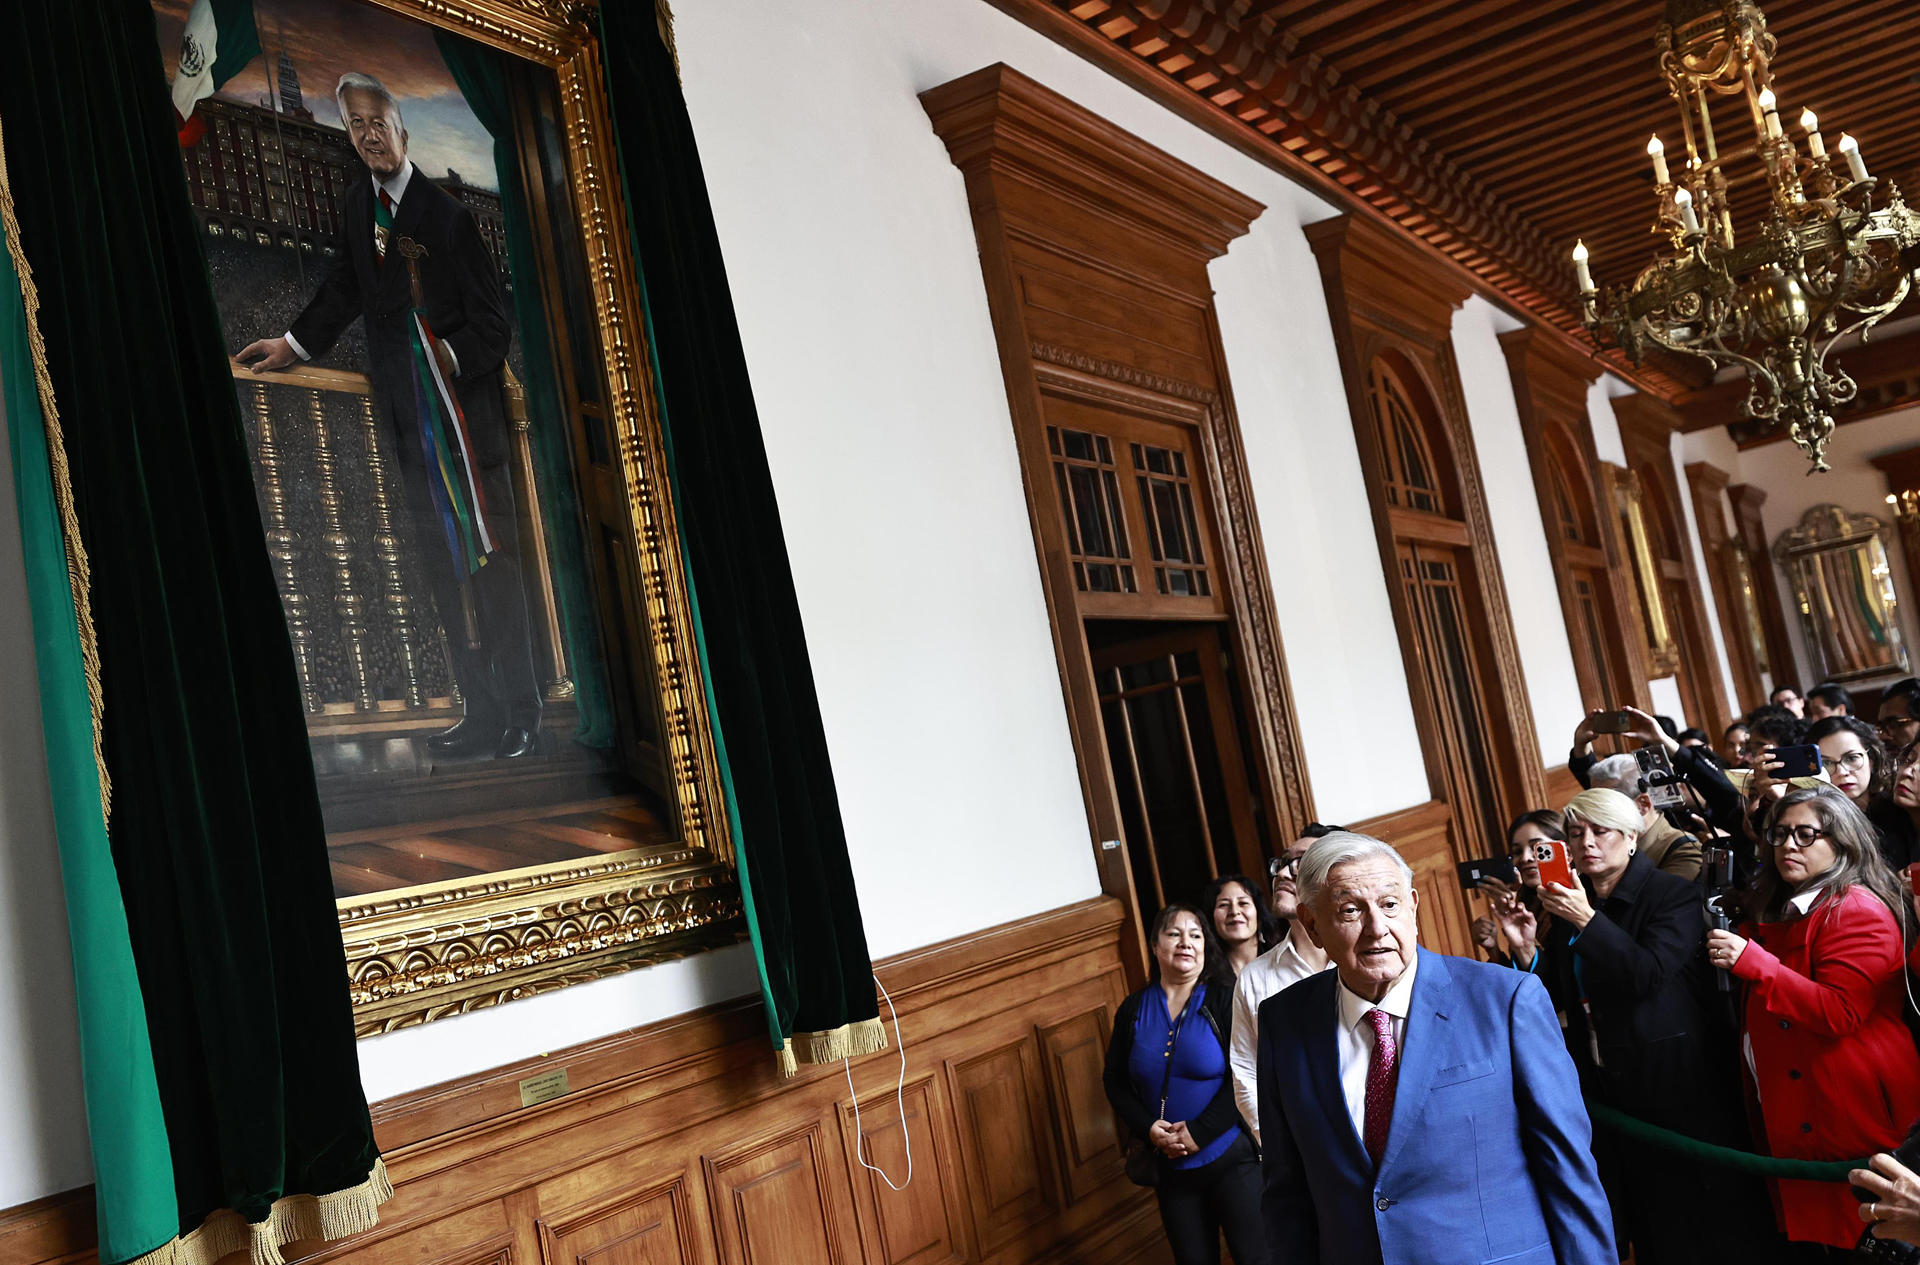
column 416, row 237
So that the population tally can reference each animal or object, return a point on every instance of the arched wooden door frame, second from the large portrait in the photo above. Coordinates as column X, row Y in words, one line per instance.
column 1383, row 298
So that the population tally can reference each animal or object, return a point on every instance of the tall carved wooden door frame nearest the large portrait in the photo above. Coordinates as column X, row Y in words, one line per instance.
column 1051, row 179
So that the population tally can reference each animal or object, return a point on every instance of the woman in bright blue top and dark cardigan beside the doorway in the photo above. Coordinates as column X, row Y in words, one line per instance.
column 1168, row 1080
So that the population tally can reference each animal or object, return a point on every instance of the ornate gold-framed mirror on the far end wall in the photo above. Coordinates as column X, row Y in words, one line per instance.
column 1844, row 594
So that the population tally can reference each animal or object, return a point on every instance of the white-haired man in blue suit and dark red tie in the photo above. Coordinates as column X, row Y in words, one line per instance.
column 1416, row 1110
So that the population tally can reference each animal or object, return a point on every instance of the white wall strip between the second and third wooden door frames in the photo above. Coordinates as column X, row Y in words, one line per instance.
column 1514, row 508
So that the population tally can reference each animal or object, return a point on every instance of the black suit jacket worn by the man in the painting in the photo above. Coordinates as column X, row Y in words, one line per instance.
column 466, row 306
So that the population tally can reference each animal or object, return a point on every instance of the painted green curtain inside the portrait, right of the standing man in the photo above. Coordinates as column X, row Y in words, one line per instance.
column 483, row 80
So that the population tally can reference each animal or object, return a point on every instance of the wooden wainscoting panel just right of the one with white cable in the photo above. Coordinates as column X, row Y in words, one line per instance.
column 997, row 1103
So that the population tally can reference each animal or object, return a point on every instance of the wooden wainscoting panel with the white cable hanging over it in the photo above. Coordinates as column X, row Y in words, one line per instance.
column 924, row 1224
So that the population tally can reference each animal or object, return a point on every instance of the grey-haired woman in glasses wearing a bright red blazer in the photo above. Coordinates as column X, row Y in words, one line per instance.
column 1827, row 1053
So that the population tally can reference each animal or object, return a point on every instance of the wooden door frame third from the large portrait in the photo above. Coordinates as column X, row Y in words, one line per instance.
column 1550, row 383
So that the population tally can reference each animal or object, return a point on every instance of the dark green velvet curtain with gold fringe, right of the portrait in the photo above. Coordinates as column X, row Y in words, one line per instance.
column 802, row 905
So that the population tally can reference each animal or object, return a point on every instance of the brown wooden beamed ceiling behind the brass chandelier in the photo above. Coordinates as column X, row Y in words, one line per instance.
column 1495, row 131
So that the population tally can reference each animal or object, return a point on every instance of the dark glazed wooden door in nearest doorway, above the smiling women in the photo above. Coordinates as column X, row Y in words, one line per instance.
column 1178, row 763
